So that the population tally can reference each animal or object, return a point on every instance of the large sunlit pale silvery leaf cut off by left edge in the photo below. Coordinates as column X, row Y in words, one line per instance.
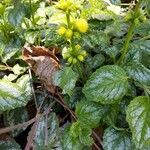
column 13, row 95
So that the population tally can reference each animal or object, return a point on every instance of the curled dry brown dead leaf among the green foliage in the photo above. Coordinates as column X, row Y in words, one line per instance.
column 43, row 62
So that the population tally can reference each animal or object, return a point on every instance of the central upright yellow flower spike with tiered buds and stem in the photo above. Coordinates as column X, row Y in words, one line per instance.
column 74, row 26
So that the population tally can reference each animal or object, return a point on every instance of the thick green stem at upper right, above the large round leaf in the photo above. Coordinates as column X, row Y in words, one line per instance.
column 130, row 33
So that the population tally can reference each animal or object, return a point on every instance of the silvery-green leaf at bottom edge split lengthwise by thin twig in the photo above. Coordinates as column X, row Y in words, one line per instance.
column 52, row 130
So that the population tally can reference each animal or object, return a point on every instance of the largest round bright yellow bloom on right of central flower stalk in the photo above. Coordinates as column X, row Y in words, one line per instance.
column 81, row 25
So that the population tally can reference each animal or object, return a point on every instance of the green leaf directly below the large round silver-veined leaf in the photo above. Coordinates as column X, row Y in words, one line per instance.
column 89, row 113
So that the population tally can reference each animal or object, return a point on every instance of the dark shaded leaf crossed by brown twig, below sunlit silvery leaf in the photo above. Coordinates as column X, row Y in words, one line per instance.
column 15, row 117
